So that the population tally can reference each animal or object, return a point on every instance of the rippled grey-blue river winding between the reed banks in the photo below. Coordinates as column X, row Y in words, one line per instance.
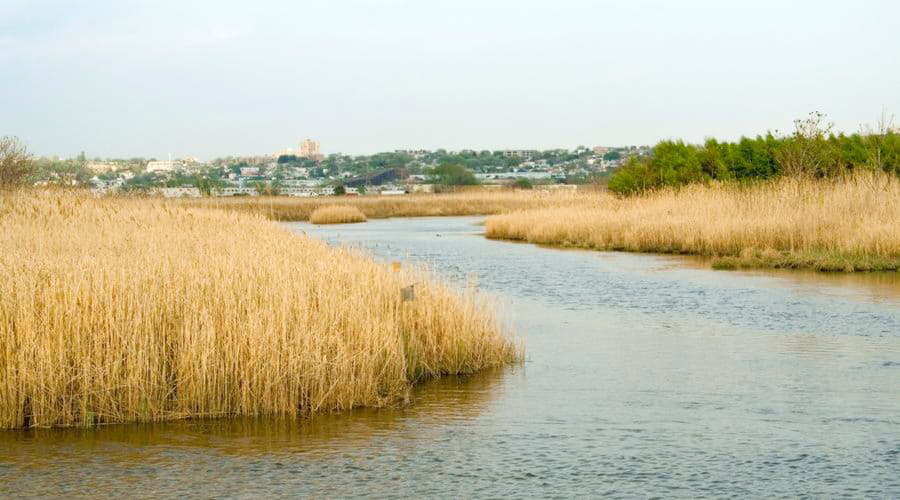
column 645, row 376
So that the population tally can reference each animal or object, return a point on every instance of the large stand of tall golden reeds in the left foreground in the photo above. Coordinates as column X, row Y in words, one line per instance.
column 118, row 310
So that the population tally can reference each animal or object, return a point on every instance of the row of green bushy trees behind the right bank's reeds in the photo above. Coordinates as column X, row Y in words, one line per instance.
column 811, row 151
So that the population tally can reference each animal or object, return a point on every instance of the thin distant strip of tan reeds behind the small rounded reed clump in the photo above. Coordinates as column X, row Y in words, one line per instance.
column 476, row 202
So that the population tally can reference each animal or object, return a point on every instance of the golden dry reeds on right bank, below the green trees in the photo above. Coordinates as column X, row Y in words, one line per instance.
column 849, row 224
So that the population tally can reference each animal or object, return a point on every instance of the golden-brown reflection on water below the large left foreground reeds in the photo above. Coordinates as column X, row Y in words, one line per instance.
column 438, row 401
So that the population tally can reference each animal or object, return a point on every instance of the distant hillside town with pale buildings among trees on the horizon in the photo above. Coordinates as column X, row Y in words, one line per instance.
column 306, row 171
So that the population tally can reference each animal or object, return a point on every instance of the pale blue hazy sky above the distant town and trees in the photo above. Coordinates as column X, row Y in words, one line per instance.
column 123, row 78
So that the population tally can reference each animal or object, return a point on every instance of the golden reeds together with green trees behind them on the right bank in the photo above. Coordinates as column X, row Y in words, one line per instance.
column 809, row 200
